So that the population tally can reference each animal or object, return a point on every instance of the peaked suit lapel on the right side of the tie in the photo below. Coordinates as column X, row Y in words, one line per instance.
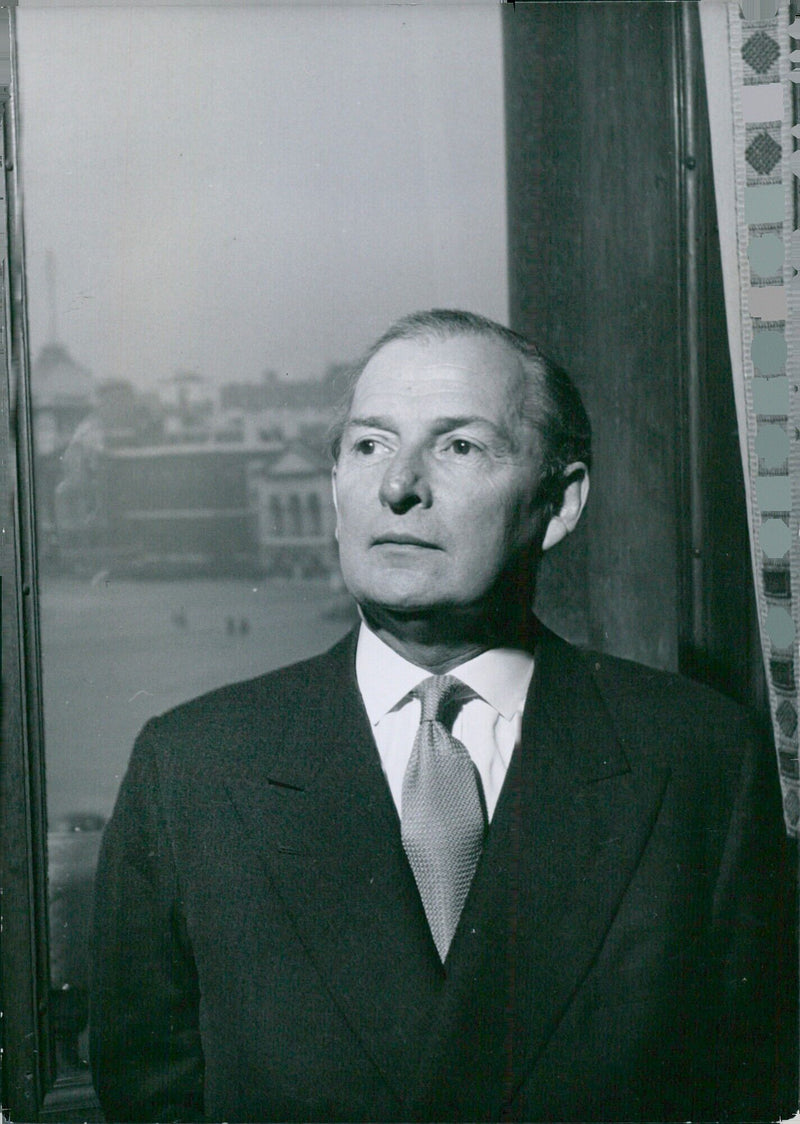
column 567, row 837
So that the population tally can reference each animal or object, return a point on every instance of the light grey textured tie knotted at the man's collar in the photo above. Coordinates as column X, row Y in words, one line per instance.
column 443, row 820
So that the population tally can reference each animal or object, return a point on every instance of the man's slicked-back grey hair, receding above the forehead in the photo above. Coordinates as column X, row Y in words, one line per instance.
column 552, row 404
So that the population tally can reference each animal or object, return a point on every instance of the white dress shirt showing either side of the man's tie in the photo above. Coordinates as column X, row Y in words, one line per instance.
column 489, row 726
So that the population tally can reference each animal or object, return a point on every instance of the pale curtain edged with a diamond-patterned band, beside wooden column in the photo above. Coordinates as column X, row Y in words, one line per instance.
column 750, row 56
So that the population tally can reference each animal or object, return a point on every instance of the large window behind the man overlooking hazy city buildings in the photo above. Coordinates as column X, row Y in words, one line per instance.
column 187, row 239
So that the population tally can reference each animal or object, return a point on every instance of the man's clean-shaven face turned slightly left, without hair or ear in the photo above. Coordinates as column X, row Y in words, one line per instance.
column 437, row 479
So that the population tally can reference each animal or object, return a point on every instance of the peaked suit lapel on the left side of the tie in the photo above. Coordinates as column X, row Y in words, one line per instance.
column 317, row 806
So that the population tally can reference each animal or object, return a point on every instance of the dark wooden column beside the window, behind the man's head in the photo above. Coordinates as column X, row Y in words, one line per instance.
column 615, row 271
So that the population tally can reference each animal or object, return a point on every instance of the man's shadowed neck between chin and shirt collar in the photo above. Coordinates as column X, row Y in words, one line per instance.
column 440, row 642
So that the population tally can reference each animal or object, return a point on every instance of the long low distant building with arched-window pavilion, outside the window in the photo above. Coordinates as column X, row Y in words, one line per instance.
column 208, row 509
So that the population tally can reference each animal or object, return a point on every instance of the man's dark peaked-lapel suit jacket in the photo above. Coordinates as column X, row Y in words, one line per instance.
column 262, row 954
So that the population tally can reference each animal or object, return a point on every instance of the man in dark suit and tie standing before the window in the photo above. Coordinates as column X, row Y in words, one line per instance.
column 453, row 869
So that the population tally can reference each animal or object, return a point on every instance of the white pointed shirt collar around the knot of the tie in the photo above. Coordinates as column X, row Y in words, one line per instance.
column 502, row 676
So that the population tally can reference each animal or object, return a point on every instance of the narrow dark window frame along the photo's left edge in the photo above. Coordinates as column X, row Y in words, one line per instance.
column 30, row 1085
